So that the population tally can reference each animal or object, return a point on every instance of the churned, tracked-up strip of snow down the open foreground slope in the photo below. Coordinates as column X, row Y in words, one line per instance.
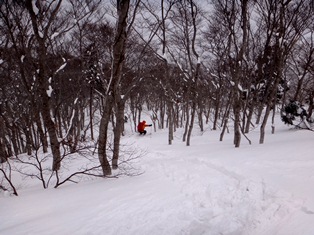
column 229, row 204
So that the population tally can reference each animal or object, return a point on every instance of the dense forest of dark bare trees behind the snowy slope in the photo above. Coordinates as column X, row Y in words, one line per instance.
column 70, row 69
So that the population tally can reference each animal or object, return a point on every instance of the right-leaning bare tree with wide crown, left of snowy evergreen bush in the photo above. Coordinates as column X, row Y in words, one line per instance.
column 286, row 23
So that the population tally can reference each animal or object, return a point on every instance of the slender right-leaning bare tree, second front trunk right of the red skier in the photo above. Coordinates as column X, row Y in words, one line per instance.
column 186, row 55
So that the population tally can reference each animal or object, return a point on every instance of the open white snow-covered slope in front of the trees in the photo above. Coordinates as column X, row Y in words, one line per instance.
column 207, row 188
